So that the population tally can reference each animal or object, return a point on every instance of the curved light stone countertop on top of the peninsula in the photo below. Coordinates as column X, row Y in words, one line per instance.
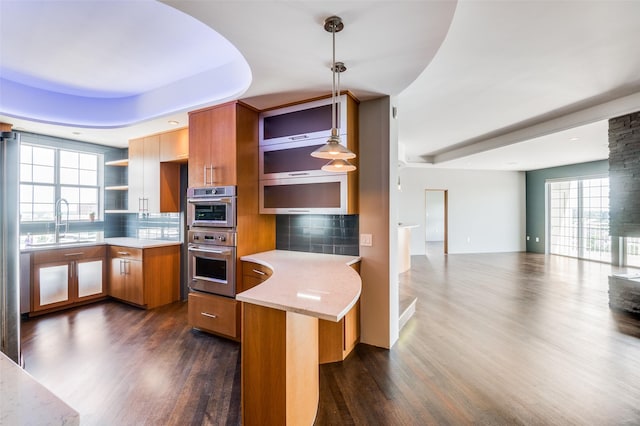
column 318, row 285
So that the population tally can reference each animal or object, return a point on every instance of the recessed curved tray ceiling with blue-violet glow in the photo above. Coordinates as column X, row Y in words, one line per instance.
column 112, row 63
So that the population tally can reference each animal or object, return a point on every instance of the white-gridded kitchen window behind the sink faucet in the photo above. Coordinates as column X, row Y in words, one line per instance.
column 49, row 174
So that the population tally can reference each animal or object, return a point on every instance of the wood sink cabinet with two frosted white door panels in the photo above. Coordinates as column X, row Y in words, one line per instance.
column 66, row 277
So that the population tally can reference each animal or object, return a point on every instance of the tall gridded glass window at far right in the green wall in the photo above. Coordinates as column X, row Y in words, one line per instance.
column 579, row 218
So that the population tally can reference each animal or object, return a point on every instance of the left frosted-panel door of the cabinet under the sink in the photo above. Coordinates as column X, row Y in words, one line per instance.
column 50, row 285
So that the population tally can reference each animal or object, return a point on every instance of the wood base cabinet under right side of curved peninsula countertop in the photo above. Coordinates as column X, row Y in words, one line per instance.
column 337, row 339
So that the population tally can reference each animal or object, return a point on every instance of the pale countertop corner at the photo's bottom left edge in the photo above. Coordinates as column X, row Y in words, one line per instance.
column 26, row 402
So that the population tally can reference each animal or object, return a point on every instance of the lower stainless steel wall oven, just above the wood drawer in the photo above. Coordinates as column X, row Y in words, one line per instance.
column 212, row 261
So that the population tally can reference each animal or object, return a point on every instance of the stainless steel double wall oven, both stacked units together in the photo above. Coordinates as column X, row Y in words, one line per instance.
column 211, row 216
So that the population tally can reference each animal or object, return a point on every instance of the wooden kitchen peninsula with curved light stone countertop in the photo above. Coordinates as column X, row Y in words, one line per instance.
column 280, row 371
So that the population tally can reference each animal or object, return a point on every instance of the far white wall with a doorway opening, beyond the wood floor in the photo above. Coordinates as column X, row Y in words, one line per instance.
column 486, row 208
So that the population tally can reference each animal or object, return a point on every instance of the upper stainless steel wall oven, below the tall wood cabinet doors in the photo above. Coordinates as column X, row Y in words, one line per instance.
column 213, row 206
